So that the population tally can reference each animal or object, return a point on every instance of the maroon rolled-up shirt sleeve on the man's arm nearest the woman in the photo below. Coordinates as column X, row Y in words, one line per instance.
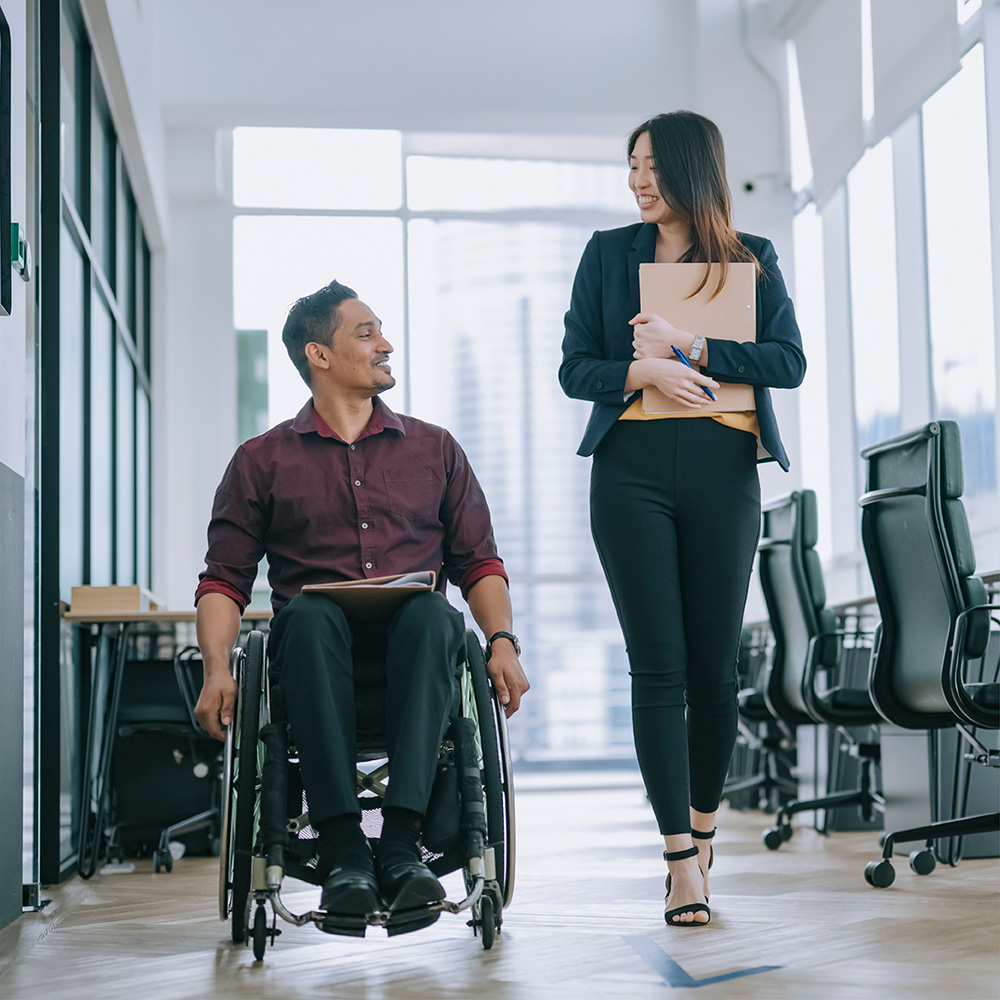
column 470, row 551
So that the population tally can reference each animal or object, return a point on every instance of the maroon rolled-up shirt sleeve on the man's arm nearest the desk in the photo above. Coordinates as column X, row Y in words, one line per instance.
column 235, row 534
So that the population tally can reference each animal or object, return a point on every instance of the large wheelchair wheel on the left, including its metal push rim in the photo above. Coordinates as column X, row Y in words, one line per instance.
column 241, row 782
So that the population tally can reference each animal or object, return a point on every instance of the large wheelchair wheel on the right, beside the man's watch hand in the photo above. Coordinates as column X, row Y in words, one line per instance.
column 496, row 765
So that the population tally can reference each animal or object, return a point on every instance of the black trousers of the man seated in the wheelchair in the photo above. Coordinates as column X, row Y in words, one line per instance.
column 313, row 651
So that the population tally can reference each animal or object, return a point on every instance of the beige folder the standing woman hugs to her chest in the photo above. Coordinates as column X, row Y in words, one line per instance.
column 665, row 289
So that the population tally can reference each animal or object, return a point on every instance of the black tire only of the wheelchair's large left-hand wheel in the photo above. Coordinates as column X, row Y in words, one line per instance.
column 245, row 784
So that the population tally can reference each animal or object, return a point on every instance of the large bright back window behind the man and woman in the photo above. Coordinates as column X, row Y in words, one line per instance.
column 473, row 304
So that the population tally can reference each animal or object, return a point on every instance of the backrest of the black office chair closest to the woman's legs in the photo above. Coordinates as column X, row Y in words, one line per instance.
column 792, row 581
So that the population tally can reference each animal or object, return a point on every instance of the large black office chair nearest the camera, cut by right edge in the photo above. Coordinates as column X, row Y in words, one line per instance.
column 935, row 613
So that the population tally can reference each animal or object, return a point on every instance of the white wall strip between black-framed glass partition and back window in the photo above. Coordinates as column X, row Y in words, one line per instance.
column 194, row 357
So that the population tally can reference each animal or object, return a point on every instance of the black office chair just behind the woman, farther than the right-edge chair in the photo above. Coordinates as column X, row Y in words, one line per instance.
column 809, row 646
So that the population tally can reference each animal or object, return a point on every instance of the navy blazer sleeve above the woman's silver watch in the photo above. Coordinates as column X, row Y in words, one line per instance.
column 776, row 359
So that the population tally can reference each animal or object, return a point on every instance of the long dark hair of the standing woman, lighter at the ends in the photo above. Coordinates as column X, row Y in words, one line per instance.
column 690, row 165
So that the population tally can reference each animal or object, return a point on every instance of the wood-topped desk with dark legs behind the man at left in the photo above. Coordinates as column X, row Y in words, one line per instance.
column 113, row 632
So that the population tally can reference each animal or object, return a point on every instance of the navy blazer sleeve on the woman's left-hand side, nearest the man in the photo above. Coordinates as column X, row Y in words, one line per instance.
column 586, row 372
